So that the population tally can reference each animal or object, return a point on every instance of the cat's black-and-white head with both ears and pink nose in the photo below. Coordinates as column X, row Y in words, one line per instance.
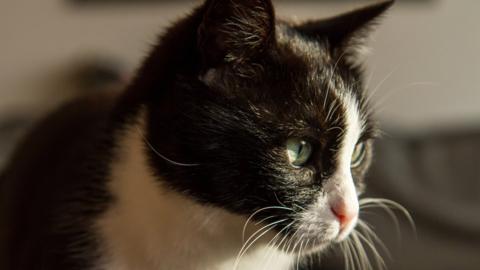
column 269, row 119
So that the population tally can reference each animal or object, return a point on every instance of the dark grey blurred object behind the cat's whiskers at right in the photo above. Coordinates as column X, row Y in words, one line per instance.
column 437, row 178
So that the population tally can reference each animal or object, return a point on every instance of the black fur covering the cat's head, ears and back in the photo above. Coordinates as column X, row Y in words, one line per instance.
column 224, row 89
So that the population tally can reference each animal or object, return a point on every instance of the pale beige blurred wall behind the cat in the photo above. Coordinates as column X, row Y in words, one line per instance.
column 431, row 51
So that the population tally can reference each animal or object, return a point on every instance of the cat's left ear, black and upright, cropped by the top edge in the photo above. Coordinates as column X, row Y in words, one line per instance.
column 235, row 31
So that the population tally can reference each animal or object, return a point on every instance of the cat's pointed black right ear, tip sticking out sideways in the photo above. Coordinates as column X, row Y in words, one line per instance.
column 347, row 33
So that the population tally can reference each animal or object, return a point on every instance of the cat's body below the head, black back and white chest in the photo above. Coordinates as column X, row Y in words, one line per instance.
column 87, row 229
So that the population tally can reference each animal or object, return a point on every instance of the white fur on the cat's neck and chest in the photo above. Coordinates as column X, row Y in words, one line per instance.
column 150, row 226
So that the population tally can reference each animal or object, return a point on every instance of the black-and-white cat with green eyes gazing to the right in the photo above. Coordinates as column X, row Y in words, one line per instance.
column 241, row 143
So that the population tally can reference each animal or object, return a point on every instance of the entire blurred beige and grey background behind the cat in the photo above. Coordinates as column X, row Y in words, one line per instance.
column 423, row 75
